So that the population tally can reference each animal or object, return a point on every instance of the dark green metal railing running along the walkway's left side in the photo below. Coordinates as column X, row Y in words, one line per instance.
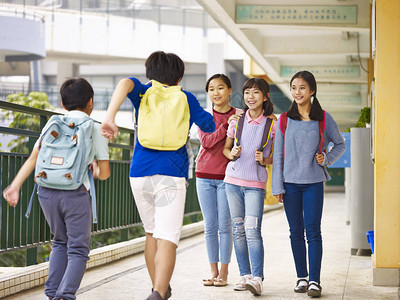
column 115, row 204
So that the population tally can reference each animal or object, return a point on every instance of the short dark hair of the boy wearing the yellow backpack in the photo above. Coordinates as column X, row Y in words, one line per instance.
column 166, row 68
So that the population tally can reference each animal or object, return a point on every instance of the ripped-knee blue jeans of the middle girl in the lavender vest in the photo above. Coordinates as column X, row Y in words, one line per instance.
column 247, row 205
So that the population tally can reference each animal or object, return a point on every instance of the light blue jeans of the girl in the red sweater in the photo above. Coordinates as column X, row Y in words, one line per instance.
column 215, row 209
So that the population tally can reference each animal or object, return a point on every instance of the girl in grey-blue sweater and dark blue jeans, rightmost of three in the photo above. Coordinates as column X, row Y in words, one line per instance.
column 299, row 173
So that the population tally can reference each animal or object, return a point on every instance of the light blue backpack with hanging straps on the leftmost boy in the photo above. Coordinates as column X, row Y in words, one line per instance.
column 64, row 156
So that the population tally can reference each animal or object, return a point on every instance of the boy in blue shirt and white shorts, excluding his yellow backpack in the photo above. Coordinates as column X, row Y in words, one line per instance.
column 158, row 178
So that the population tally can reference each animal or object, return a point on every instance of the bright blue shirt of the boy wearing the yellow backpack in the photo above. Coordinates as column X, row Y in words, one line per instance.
column 148, row 162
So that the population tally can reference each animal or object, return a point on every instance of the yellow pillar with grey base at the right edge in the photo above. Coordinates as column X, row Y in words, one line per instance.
column 386, row 262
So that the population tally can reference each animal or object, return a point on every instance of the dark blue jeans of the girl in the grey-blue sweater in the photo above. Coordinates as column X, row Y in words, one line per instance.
column 303, row 206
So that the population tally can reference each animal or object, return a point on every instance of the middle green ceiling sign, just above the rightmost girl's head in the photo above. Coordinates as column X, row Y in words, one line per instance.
column 323, row 71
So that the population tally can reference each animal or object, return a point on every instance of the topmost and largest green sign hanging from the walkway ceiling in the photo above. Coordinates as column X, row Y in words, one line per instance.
column 296, row 14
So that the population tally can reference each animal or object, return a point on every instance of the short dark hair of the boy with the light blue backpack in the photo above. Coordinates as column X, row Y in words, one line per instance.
column 76, row 93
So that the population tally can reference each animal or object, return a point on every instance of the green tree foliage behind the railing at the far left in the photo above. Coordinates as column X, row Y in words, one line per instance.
column 23, row 120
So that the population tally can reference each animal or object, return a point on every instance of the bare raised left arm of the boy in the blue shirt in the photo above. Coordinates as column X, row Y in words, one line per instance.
column 108, row 127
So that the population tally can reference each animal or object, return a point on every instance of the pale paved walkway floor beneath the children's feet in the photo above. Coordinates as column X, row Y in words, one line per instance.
column 343, row 276
